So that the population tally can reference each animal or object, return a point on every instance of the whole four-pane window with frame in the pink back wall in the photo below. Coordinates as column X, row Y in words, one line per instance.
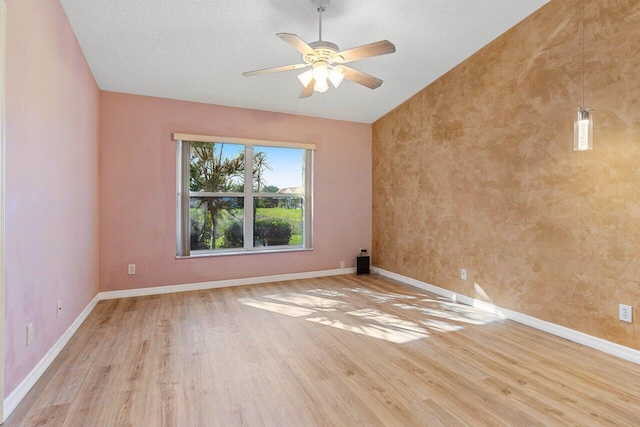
column 224, row 207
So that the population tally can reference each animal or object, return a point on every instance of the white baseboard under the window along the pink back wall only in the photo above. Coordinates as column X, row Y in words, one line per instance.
column 221, row 284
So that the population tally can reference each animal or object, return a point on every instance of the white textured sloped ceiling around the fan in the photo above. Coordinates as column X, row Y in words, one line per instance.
column 195, row 50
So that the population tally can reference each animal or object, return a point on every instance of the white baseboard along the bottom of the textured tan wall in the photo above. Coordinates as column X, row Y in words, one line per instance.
column 604, row 346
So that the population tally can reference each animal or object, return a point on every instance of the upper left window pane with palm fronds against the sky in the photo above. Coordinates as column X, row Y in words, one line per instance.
column 216, row 168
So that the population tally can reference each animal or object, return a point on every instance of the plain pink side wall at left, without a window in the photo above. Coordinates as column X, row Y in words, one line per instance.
column 52, row 118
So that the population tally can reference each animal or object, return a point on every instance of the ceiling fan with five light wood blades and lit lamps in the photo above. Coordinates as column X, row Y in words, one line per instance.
column 326, row 59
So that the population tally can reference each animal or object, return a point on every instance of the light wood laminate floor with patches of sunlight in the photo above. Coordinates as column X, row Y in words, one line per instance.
column 343, row 351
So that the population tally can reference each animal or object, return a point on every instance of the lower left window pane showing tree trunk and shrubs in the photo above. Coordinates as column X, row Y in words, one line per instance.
column 216, row 222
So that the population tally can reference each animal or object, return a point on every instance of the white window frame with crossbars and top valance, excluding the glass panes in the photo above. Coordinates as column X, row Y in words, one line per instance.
column 183, row 195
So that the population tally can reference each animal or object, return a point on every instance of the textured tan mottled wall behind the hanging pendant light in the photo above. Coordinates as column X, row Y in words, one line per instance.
column 478, row 171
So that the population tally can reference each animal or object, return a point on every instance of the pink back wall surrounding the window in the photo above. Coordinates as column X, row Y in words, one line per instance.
column 138, row 190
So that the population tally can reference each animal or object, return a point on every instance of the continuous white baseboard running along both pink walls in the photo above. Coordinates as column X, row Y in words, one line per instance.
column 16, row 396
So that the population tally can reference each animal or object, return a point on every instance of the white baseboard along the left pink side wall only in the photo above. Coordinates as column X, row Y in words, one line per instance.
column 16, row 396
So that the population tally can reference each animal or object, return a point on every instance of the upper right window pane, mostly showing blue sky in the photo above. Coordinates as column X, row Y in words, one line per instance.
column 277, row 170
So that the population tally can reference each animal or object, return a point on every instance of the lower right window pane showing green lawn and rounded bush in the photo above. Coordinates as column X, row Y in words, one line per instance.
column 278, row 221
